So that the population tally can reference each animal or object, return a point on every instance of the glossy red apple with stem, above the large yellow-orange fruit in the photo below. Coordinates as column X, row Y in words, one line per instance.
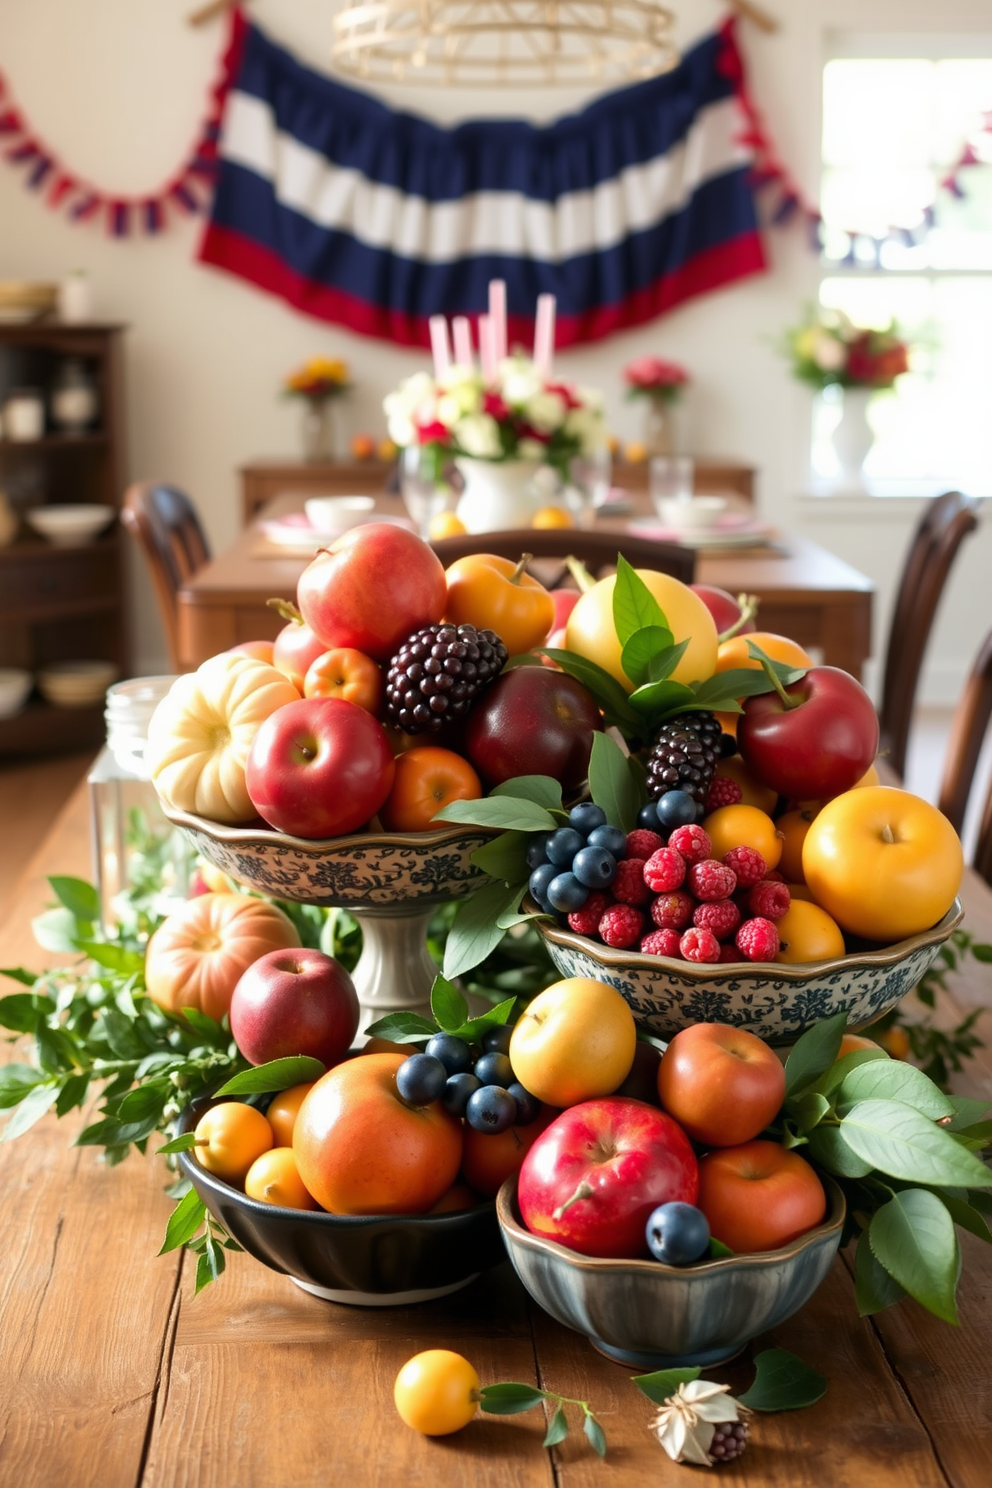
column 816, row 742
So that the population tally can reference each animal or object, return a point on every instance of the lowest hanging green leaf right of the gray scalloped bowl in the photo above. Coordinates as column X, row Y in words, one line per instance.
column 914, row 1239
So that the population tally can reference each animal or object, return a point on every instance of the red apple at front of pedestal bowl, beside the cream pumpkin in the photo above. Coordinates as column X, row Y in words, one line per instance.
column 319, row 769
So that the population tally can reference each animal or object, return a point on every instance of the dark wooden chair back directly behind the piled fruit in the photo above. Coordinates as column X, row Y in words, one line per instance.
column 551, row 547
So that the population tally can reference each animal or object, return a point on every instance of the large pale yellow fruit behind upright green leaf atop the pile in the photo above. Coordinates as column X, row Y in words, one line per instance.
column 593, row 633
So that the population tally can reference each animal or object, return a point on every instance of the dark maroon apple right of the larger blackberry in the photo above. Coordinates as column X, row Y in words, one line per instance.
column 533, row 721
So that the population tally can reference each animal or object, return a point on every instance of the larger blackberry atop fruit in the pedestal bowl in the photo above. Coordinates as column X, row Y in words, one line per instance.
column 438, row 673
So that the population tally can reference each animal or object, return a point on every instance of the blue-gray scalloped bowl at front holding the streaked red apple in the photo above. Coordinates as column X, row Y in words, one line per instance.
column 651, row 1316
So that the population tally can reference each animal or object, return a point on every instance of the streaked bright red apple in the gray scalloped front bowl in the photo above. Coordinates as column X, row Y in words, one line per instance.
column 593, row 1179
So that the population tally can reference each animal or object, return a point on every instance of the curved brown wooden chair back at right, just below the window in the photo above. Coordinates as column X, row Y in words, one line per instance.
column 944, row 527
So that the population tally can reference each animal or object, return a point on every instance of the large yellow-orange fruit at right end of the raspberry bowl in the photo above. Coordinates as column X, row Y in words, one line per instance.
column 884, row 864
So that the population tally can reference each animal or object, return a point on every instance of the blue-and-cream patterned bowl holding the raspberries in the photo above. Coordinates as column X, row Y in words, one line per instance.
column 773, row 1001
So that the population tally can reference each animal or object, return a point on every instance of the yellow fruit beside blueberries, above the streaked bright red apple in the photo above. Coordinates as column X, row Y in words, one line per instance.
column 575, row 1042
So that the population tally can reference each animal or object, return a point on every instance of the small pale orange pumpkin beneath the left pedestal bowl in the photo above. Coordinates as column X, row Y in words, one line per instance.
column 199, row 955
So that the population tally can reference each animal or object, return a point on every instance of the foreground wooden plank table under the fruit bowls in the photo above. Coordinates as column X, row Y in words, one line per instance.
column 112, row 1376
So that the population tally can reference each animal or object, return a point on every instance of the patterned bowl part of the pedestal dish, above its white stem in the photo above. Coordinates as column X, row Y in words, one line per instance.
column 364, row 871
